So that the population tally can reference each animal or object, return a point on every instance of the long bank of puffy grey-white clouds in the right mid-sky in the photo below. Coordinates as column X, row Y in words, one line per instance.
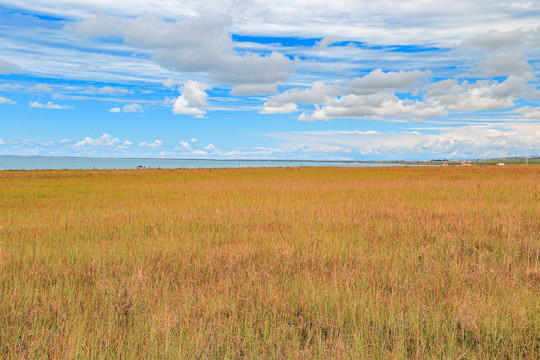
column 374, row 95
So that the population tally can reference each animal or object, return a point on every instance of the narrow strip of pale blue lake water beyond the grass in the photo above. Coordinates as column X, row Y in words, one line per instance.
column 61, row 163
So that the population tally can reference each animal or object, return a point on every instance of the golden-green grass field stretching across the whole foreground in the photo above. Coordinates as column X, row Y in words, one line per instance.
column 294, row 263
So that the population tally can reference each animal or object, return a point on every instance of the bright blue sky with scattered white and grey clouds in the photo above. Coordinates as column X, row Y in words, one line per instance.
column 270, row 79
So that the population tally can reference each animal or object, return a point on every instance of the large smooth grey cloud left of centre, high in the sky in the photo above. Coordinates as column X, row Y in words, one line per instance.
column 199, row 43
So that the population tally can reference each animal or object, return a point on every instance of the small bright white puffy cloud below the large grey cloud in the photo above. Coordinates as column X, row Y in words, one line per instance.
column 193, row 97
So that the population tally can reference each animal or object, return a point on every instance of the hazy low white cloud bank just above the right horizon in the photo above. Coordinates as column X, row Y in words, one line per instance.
column 468, row 141
